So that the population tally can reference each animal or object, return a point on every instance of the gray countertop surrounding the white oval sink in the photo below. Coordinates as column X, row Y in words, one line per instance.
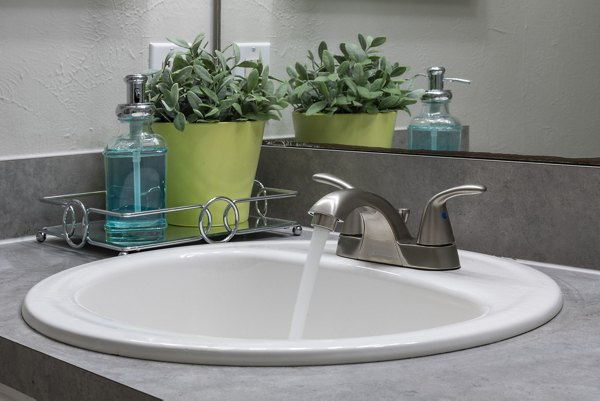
column 558, row 361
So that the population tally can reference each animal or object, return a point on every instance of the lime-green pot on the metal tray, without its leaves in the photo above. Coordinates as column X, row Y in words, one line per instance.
column 209, row 160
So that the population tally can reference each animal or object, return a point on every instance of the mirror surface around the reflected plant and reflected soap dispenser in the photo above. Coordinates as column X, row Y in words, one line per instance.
column 532, row 66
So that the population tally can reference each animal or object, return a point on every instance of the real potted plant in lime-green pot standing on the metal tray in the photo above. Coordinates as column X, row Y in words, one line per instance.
column 213, row 122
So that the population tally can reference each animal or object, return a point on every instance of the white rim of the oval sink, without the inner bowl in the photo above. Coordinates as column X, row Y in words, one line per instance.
column 101, row 334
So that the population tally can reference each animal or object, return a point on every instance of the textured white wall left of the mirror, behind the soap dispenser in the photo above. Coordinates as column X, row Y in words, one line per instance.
column 63, row 62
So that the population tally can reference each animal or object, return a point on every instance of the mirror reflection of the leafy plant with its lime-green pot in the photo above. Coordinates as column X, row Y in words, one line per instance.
column 349, row 98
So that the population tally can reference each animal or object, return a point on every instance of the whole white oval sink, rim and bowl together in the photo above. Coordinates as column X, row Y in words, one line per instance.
column 232, row 304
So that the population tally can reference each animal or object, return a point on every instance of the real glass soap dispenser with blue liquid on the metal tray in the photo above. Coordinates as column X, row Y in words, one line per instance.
column 135, row 171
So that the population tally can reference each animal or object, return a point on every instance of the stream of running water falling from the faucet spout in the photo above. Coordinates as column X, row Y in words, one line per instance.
column 307, row 283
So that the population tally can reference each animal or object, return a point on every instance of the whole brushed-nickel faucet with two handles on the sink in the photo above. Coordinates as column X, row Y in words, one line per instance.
column 373, row 230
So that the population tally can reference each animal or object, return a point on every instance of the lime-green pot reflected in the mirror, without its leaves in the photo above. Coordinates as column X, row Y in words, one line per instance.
column 361, row 129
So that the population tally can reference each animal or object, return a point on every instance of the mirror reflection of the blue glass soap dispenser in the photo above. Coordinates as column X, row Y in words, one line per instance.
column 435, row 128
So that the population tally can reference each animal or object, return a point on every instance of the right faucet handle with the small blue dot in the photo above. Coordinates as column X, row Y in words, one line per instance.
column 435, row 228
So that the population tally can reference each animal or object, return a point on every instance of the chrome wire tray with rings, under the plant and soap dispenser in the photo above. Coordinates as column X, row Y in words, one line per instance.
column 78, row 229
